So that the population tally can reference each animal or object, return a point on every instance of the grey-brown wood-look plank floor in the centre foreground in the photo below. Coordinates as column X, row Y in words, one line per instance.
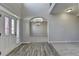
column 34, row 49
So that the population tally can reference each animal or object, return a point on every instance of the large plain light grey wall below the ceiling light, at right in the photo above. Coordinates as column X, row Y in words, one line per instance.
column 64, row 29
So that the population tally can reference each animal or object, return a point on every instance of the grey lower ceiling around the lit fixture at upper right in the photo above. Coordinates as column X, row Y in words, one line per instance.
column 62, row 7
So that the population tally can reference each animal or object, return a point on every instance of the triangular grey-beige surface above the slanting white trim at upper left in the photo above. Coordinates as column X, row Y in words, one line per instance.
column 13, row 7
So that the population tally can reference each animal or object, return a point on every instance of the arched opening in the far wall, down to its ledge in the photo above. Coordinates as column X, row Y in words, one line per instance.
column 38, row 27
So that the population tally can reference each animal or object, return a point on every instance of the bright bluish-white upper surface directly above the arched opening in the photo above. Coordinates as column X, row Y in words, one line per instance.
column 35, row 9
